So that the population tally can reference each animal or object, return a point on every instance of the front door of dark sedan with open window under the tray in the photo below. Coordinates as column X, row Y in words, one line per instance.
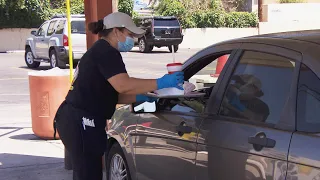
column 165, row 145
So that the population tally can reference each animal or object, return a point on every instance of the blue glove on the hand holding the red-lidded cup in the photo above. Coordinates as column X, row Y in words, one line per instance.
column 171, row 80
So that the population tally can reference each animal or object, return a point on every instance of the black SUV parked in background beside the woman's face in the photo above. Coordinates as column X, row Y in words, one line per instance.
column 160, row 31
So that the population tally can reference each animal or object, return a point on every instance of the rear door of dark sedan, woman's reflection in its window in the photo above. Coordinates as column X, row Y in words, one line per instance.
column 247, row 133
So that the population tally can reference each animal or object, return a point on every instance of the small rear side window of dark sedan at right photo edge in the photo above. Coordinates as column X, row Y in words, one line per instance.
column 308, row 101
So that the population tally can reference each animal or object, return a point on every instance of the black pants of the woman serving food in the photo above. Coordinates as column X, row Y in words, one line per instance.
column 85, row 145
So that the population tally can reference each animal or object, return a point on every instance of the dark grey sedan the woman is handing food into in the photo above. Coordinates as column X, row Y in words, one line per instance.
column 259, row 121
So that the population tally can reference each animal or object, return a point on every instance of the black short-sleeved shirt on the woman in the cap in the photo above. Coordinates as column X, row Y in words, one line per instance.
column 91, row 90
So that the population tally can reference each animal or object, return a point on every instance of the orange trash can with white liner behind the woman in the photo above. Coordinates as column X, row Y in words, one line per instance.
column 47, row 92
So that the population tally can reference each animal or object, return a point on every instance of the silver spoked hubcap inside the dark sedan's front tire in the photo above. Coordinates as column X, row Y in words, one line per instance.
column 117, row 168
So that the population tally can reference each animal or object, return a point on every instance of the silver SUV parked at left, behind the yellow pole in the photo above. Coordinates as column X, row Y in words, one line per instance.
column 50, row 42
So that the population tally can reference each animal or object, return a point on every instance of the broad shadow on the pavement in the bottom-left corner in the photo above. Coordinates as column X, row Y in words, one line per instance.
column 28, row 167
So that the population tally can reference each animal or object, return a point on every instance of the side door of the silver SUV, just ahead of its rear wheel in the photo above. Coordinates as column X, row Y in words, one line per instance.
column 40, row 40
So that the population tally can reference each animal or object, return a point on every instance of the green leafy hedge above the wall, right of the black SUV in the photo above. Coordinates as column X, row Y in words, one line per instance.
column 215, row 17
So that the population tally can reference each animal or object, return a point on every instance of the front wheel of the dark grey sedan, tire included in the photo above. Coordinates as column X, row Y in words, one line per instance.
column 116, row 164
